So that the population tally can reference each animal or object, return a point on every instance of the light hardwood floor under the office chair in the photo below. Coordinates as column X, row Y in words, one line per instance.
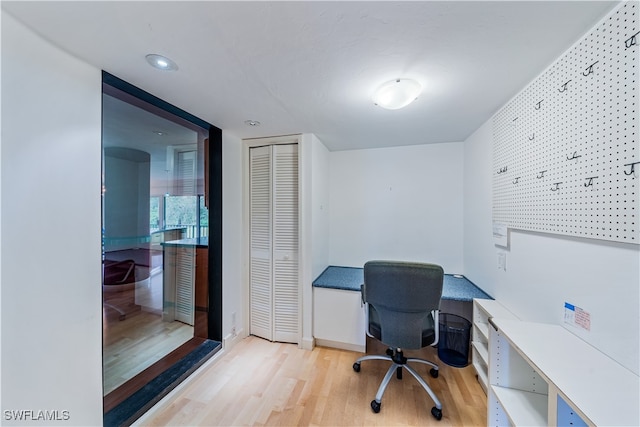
column 262, row 383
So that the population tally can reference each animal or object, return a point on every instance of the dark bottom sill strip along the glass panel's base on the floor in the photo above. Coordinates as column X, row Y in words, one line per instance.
column 142, row 400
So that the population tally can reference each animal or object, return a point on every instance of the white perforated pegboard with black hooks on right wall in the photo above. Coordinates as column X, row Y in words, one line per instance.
column 566, row 150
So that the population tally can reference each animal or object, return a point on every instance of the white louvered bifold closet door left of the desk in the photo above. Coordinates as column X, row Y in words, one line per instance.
column 273, row 277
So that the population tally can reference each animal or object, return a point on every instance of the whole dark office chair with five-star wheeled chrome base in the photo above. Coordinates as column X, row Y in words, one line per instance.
column 403, row 302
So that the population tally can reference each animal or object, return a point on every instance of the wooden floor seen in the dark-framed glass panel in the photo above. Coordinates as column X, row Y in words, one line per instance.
column 131, row 345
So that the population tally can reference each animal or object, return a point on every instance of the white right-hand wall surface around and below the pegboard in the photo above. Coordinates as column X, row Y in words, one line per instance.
column 544, row 271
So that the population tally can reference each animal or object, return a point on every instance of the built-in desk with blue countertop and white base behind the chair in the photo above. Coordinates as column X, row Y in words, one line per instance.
column 338, row 313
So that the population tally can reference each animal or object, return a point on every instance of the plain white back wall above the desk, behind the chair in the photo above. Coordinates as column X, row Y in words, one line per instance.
column 397, row 203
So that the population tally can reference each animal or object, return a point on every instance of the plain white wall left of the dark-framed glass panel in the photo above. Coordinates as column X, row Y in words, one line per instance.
column 51, row 241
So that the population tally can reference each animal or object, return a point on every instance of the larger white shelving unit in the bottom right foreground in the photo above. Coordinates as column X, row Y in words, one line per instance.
column 542, row 374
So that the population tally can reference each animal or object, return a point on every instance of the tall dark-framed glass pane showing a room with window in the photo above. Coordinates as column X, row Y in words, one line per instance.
column 153, row 190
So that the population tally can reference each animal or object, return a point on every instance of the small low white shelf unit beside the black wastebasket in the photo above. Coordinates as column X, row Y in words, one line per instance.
column 483, row 310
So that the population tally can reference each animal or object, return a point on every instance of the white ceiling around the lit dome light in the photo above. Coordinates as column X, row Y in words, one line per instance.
column 311, row 67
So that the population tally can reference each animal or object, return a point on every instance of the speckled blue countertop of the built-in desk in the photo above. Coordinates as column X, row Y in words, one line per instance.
column 455, row 287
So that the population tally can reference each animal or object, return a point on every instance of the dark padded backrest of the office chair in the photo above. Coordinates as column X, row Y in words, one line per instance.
column 403, row 295
